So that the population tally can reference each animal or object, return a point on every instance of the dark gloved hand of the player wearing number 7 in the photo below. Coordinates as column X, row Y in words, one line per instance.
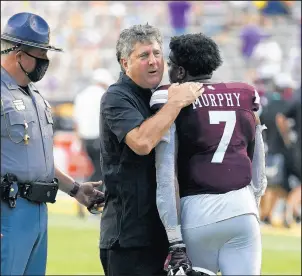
column 177, row 262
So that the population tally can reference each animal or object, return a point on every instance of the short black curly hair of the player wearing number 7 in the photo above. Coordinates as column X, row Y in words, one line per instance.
column 197, row 53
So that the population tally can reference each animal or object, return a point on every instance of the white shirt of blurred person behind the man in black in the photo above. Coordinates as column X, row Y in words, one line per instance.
column 87, row 111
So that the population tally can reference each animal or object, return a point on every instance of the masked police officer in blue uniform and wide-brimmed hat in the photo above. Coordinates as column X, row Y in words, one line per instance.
column 28, row 173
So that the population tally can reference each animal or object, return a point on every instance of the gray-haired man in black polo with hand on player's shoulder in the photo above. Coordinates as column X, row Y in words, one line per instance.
column 133, row 240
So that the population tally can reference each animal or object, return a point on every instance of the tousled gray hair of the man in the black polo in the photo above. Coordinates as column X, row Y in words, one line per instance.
column 137, row 33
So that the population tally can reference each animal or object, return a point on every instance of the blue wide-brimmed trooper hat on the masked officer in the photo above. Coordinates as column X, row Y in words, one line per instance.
column 27, row 29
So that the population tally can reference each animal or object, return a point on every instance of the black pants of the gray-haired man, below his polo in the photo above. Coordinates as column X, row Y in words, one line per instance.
column 142, row 261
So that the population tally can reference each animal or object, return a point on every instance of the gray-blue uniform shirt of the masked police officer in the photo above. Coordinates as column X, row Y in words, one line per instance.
column 34, row 161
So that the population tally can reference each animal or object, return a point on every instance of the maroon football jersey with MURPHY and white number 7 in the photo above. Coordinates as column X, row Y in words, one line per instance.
column 213, row 134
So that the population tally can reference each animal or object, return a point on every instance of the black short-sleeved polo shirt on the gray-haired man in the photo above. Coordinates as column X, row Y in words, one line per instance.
column 130, row 217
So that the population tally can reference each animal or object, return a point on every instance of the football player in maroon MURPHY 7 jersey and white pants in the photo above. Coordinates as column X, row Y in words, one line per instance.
column 220, row 167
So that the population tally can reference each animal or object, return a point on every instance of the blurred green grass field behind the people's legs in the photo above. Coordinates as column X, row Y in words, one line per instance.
column 73, row 248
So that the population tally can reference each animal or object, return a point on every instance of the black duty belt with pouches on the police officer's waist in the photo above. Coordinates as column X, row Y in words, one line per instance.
column 40, row 192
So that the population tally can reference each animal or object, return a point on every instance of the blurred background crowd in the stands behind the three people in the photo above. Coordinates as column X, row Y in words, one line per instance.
column 260, row 43
